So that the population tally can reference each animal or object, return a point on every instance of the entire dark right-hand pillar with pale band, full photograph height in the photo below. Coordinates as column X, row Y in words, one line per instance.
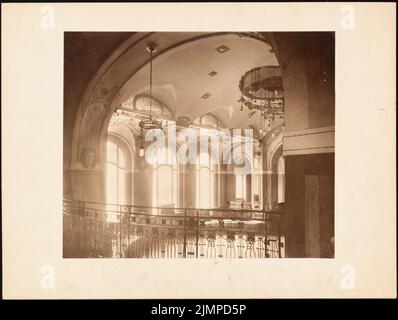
column 307, row 61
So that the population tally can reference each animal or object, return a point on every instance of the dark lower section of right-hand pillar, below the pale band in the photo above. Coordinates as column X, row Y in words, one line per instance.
column 310, row 204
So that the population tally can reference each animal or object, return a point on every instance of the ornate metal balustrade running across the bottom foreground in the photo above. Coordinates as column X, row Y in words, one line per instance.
column 98, row 230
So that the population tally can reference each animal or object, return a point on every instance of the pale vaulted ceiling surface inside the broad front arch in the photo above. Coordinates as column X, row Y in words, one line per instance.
column 198, row 77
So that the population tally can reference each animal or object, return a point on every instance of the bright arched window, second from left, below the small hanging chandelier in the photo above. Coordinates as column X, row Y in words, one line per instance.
column 165, row 178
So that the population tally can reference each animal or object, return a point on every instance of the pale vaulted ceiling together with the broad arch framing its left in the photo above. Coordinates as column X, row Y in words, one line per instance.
column 182, row 75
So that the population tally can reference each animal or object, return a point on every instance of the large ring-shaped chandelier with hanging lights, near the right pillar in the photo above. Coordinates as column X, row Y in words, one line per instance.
column 262, row 91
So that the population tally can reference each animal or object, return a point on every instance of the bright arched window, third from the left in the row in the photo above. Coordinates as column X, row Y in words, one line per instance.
column 205, row 181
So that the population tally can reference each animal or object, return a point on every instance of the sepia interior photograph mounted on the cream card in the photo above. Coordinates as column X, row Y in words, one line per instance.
column 198, row 145
